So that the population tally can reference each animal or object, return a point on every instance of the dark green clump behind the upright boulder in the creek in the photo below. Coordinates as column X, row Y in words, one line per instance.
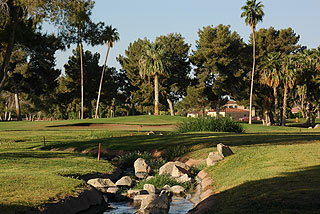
column 127, row 160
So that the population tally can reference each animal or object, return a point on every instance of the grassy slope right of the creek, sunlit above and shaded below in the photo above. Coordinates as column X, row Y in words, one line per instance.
column 268, row 179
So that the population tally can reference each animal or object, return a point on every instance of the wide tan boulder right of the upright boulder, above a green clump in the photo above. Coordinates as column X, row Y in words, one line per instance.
column 175, row 169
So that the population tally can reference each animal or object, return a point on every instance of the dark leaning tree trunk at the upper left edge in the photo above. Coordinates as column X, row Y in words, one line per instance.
column 9, row 49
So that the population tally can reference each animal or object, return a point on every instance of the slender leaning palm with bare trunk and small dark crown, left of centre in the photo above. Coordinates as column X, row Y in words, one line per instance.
column 109, row 35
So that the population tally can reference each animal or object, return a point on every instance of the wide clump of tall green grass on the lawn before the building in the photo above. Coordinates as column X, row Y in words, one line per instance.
column 220, row 124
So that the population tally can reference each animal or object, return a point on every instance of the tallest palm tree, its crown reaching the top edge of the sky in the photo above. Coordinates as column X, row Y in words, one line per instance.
column 253, row 14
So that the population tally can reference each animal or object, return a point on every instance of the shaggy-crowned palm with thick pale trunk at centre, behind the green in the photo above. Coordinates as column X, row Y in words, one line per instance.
column 152, row 64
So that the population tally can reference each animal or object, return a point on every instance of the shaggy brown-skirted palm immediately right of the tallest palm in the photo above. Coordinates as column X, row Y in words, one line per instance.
column 270, row 76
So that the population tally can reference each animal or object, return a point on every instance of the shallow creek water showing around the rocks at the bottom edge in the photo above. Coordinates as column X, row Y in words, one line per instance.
column 178, row 205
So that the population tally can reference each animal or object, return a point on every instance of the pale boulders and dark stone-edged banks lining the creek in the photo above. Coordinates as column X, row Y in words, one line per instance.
column 105, row 188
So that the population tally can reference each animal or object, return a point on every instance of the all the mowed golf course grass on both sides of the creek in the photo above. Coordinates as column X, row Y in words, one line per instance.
column 274, row 169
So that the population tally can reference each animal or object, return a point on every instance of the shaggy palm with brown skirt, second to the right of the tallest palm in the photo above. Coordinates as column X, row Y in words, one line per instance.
column 288, row 78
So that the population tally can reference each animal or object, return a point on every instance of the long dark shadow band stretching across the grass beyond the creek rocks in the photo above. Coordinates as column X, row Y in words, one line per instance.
column 202, row 140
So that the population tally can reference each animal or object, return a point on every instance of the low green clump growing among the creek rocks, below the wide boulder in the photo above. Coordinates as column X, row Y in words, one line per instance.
column 160, row 181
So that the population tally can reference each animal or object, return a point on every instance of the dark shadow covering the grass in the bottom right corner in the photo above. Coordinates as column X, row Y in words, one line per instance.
column 296, row 192
